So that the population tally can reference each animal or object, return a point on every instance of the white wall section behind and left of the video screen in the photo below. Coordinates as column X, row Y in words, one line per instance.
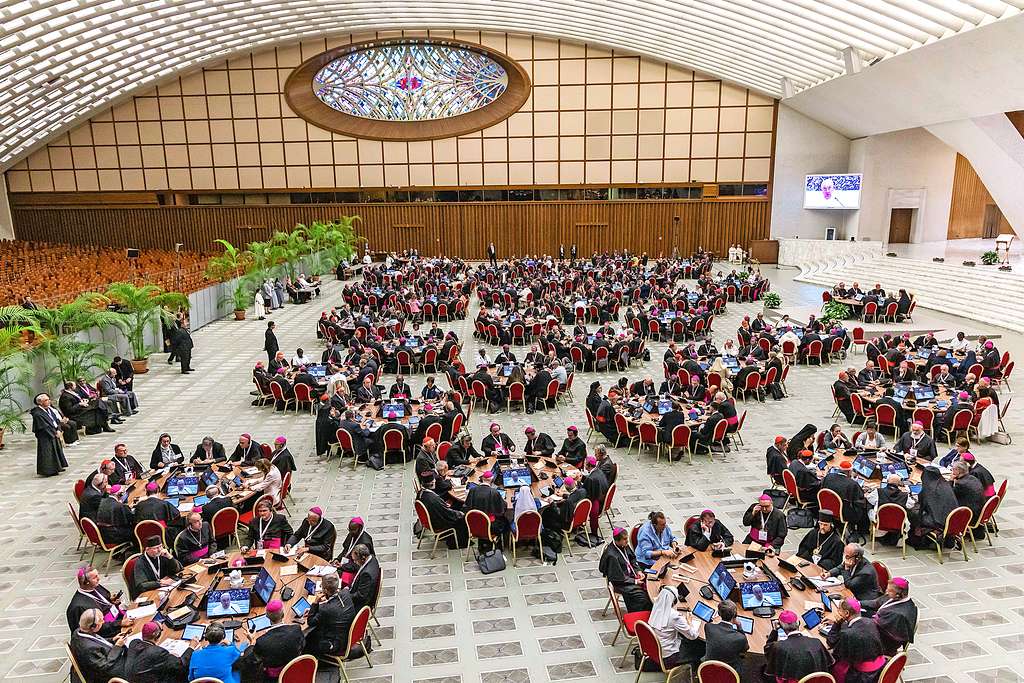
column 804, row 147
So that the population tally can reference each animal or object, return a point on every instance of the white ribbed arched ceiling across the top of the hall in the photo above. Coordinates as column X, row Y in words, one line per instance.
column 62, row 61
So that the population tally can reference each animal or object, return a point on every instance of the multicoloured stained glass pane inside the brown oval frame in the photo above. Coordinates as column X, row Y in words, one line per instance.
column 411, row 82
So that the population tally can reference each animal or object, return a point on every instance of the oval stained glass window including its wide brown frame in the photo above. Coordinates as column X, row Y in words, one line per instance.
column 408, row 90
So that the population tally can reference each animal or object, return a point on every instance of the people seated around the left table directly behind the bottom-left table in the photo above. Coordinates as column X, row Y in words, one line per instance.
column 105, row 498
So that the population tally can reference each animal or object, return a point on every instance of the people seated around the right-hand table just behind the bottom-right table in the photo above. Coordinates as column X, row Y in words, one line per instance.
column 970, row 484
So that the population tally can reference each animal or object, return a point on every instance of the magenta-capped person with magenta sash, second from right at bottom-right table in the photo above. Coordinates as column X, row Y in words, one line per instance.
column 856, row 645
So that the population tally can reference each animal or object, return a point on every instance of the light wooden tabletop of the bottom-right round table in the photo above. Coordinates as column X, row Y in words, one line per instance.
column 699, row 571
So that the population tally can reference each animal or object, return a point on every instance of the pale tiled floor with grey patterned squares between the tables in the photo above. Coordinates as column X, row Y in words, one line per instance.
column 444, row 622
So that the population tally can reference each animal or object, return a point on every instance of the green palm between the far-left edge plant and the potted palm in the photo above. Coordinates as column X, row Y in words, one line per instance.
column 66, row 358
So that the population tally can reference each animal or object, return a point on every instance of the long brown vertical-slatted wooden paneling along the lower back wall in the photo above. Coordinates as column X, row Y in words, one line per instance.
column 457, row 230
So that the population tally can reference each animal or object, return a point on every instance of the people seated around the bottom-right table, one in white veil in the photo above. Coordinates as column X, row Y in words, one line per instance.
column 866, row 629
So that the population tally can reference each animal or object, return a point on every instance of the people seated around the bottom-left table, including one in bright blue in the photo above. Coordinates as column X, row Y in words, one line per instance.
column 100, row 625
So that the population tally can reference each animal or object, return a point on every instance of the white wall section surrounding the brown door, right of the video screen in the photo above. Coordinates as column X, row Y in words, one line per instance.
column 910, row 168
